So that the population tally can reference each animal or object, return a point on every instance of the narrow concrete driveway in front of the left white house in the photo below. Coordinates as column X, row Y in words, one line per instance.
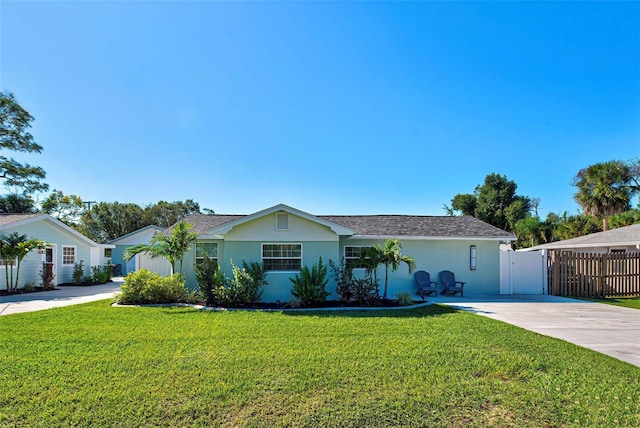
column 64, row 296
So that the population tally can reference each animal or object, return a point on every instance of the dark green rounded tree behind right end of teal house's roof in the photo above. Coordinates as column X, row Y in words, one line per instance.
column 495, row 201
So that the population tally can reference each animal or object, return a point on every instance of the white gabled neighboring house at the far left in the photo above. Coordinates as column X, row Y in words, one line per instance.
column 65, row 248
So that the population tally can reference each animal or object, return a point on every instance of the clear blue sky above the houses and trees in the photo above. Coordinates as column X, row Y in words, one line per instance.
column 331, row 107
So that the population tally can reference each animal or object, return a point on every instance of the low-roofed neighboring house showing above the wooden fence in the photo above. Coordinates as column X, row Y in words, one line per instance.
column 622, row 239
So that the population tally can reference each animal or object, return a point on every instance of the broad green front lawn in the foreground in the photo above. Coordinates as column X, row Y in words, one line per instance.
column 93, row 365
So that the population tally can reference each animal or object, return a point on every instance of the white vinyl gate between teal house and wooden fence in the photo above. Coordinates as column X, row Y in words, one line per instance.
column 523, row 272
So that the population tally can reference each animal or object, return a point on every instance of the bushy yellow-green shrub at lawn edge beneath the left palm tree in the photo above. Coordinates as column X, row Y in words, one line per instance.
column 147, row 287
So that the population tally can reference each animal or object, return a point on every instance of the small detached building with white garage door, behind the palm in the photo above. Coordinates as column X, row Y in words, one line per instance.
column 141, row 236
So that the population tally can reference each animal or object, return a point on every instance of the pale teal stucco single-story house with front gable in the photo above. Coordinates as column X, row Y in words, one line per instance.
column 284, row 239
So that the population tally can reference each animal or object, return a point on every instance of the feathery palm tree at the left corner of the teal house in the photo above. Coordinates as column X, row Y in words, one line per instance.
column 171, row 247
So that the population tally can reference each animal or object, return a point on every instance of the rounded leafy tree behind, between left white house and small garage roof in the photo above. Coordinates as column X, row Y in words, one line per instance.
column 110, row 220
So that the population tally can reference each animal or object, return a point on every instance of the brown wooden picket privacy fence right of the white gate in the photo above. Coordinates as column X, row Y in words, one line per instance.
column 593, row 275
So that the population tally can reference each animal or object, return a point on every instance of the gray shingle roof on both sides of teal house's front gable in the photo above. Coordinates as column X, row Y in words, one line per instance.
column 385, row 225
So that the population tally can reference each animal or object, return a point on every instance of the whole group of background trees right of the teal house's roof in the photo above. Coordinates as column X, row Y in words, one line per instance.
column 604, row 191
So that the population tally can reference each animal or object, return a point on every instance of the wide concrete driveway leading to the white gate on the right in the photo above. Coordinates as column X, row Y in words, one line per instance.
column 608, row 329
